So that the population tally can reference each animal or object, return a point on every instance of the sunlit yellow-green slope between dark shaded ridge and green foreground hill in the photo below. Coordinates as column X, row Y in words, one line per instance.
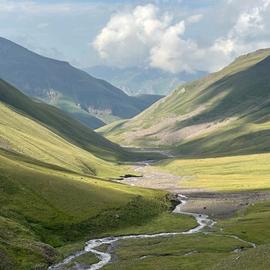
column 27, row 137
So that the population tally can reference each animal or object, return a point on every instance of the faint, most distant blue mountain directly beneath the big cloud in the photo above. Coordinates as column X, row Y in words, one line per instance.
column 135, row 80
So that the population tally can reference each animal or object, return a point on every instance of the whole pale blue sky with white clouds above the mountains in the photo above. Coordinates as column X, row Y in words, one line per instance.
column 170, row 35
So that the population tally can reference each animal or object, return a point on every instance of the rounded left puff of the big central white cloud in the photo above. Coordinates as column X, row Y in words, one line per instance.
column 128, row 37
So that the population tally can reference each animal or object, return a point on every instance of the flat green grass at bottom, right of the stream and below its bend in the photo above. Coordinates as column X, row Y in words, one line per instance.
column 191, row 252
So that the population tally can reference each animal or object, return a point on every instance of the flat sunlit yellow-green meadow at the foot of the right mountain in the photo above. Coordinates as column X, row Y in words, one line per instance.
column 238, row 173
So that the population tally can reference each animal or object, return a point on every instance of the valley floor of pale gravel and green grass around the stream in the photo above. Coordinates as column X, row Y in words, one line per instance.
column 242, row 218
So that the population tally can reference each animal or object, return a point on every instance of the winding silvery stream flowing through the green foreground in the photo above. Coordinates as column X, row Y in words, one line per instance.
column 105, row 257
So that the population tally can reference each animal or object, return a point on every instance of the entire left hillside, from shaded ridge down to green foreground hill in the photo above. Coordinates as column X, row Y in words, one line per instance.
column 54, row 184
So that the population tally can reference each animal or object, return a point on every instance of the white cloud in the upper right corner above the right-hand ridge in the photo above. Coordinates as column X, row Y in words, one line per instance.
column 247, row 34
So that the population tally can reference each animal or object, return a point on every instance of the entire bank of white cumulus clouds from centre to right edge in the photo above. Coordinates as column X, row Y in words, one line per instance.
column 145, row 36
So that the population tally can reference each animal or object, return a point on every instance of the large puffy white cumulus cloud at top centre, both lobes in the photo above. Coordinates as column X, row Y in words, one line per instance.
column 145, row 36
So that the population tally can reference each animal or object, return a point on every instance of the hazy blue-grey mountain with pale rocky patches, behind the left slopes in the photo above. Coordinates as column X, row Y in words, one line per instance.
column 90, row 100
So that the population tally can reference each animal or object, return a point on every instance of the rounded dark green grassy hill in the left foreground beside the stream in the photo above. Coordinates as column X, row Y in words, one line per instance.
column 43, row 207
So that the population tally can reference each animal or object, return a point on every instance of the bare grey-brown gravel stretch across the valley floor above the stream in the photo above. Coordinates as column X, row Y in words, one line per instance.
column 214, row 204
